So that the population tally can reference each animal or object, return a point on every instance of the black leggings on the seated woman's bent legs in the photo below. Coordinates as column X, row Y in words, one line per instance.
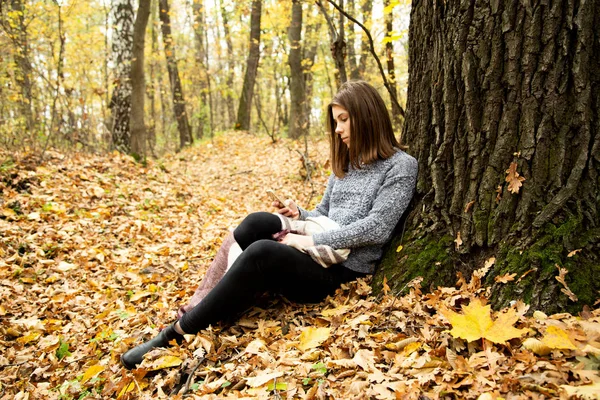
column 264, row 265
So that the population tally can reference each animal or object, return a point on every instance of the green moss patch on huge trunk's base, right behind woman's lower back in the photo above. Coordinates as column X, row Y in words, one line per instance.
column 427, row 257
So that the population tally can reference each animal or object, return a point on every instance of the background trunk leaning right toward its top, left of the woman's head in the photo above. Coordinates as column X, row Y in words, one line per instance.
column 245, row 106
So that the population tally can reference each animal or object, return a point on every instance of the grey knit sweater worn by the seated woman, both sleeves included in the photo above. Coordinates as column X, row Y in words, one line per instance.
column 367, row 203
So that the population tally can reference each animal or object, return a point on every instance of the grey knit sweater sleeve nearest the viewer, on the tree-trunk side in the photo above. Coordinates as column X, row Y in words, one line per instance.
column 391, row 201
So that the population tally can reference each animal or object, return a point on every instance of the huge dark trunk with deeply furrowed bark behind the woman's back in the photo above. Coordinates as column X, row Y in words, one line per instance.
column 493, row 90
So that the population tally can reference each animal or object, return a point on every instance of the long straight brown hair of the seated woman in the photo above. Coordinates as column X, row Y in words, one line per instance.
column 371, row 133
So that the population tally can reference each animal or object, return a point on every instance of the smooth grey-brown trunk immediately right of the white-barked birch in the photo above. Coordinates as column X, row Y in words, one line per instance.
column 138, row 83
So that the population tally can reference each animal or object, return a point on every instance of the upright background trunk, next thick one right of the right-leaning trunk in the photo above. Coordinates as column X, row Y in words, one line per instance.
column 298, row 115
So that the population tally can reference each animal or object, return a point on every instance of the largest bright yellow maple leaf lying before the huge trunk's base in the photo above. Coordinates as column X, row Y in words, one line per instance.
column 476, row 323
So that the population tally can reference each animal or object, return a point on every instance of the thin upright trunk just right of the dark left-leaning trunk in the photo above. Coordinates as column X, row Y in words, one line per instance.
column 200, row 33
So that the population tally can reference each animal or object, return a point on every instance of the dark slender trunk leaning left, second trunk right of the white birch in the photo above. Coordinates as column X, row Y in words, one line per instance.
column 185, row 133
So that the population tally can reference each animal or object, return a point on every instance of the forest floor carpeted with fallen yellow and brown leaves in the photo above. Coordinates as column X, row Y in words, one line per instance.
column 98, row 252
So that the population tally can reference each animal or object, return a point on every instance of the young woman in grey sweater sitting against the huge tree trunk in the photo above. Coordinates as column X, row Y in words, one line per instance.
column 370, row 187
